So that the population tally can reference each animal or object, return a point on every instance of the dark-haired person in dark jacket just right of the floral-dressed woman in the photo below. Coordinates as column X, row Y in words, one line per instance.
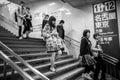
column 60, row 29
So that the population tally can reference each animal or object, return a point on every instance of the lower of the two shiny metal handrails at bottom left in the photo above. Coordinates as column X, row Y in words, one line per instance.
column 16, row 67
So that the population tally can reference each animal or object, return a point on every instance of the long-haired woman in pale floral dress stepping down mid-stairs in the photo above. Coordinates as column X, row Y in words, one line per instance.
column 53, row 42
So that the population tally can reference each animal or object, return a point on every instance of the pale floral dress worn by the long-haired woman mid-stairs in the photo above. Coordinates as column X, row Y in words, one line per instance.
column 53, row 42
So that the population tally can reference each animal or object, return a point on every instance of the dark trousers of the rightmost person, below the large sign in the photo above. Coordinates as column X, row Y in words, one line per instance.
column 100, row 65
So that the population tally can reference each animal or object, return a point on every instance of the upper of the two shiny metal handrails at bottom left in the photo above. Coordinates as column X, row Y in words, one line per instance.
column 35, row 71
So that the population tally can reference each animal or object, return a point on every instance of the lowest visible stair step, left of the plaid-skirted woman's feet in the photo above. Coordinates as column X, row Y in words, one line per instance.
column 70, row 74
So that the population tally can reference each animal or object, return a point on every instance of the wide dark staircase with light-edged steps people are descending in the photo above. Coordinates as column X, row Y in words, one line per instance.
column 33, row 51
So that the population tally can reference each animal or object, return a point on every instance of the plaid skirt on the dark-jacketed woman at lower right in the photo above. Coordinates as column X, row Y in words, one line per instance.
column 88, row 60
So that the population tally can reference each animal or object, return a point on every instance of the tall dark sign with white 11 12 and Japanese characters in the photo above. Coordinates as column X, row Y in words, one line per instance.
column 105, row 22
